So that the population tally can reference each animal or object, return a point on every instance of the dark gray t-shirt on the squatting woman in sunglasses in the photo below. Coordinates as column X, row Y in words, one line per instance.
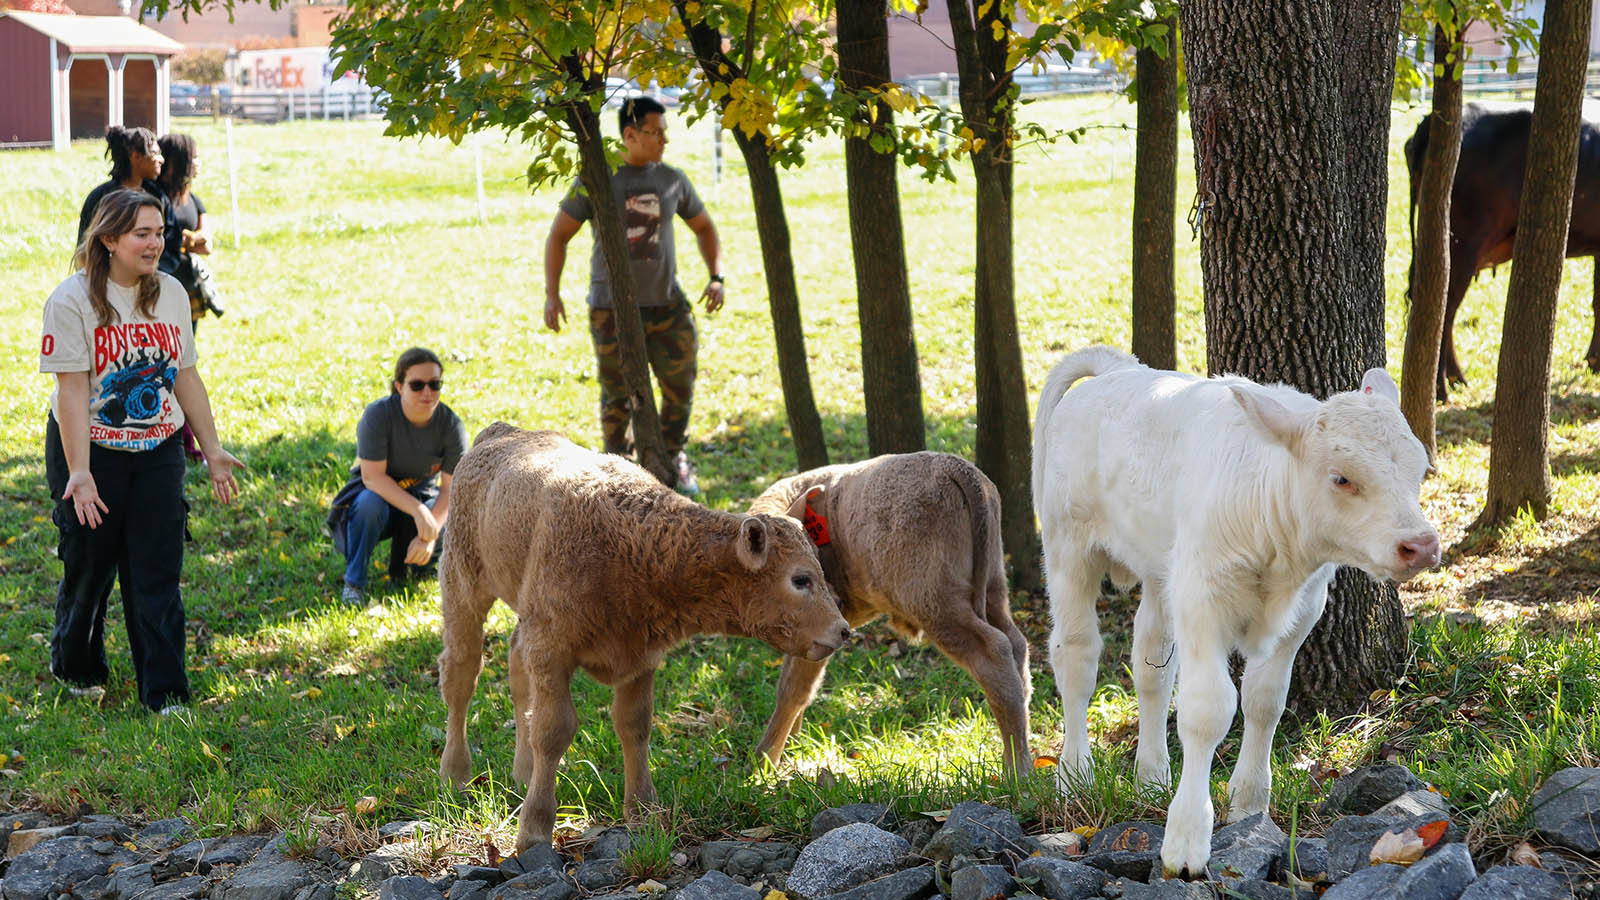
column 415, row 456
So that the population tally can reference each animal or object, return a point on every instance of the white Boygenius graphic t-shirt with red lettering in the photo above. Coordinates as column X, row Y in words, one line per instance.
column 134, row 363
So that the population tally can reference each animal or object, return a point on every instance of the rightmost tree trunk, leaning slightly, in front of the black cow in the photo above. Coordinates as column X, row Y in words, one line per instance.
column 1519, row 446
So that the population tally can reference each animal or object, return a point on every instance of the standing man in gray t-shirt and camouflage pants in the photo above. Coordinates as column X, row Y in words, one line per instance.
column 650, row 196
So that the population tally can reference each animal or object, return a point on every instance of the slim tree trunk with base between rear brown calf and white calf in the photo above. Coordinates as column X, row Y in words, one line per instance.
column 1004, row 440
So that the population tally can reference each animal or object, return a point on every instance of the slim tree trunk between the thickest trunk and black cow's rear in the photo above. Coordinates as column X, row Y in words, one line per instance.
column 1431, row 188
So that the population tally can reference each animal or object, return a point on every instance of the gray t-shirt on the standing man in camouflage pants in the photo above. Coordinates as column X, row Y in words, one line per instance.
column 649, row 198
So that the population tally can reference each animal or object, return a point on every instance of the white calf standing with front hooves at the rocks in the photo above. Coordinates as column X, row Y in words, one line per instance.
column 1233, row 504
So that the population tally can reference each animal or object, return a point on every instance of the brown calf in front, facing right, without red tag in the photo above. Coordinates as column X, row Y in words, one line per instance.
column 607, row 569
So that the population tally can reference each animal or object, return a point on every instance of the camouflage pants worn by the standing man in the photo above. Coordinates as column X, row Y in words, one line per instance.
column 671, row 345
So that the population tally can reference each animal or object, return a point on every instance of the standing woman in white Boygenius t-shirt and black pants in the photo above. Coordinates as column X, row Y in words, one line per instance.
column 118, row 340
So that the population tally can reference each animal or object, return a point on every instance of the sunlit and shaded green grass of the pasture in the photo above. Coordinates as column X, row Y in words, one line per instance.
column 354, row 246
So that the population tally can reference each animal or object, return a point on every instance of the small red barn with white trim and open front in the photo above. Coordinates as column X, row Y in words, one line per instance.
column 74, row 76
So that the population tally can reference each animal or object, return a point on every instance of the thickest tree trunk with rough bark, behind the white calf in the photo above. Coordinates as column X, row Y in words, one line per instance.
column 1290, row 118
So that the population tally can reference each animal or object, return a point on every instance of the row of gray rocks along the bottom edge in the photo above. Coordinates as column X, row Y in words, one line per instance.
column 858, row 853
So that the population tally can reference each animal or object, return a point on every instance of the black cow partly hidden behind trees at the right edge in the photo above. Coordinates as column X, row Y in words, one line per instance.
column 1484, row 207
